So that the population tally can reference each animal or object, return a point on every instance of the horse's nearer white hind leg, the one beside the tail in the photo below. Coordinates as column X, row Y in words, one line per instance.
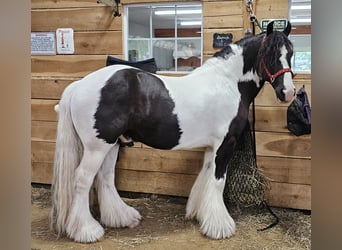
column 81, row 226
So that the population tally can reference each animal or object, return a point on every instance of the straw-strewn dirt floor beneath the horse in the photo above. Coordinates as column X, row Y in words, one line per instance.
column 163, row 227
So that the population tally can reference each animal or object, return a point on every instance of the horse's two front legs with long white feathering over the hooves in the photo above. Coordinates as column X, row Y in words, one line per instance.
column 206, row 197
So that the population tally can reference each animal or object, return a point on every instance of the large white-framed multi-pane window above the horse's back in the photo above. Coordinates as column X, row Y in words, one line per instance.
column 171, row 33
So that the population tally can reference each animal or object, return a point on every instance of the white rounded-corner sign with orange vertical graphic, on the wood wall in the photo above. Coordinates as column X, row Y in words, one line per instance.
column 65, row 41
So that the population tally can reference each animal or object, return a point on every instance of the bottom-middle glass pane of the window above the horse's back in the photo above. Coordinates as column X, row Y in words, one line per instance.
column 163, row 50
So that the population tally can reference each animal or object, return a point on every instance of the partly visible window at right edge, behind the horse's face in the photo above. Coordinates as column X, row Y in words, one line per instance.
column 300, row 18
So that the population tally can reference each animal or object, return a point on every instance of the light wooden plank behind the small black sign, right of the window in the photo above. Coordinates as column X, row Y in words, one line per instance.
column 208, row 38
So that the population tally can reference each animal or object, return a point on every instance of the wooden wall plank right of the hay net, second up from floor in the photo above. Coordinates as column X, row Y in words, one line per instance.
column 286, row 170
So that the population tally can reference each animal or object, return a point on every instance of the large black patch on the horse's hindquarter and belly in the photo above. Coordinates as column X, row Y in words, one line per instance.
column 137, row 104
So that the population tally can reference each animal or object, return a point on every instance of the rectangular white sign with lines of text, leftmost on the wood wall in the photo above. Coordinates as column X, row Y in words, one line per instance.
column 43, row 43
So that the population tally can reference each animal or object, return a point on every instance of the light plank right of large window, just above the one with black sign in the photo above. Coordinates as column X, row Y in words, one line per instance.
column 234, row 21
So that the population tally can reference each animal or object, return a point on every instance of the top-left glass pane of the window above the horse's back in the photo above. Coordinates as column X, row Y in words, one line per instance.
column 138, row 22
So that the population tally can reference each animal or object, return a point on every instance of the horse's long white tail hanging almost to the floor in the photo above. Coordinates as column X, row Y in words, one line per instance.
column 67, row 157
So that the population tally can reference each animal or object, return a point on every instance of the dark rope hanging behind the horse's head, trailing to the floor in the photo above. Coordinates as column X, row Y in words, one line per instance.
column 254, row 21
